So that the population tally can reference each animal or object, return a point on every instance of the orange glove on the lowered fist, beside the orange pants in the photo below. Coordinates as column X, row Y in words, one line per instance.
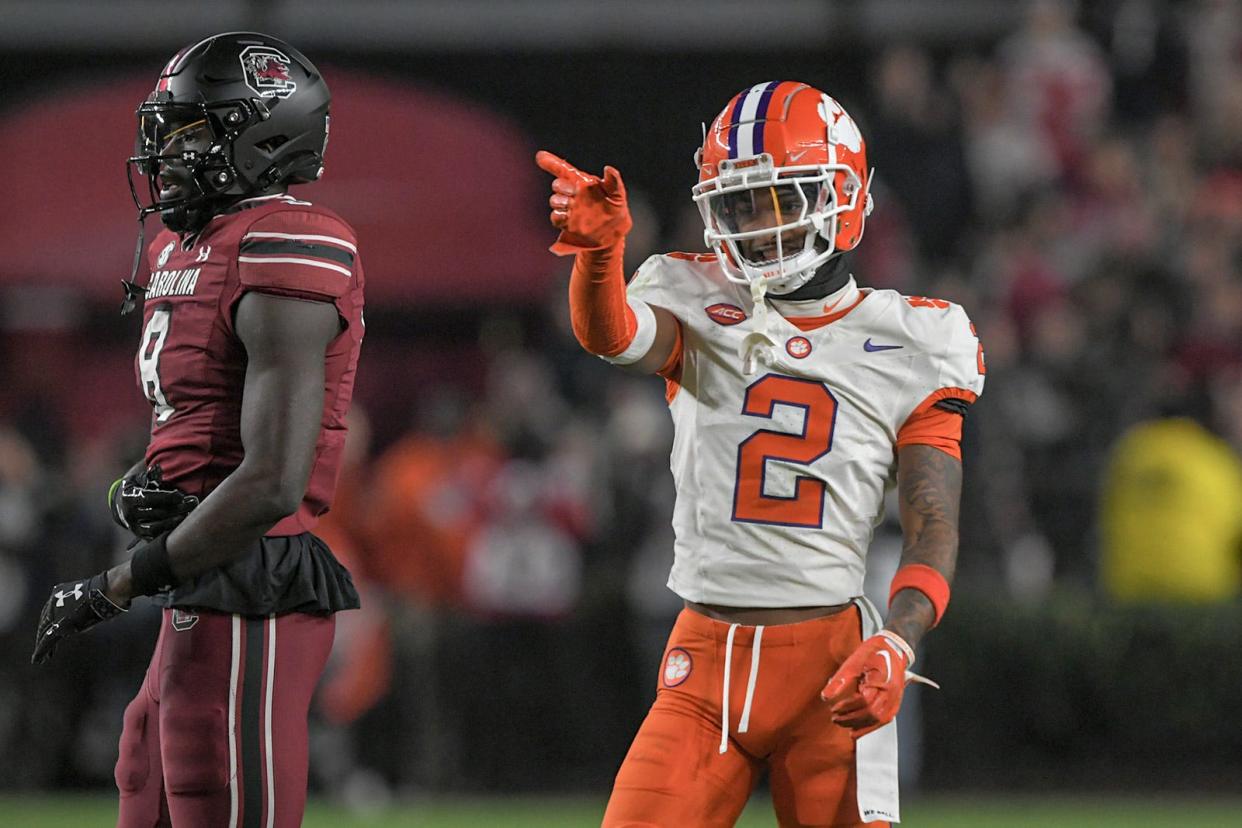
column 866, row 691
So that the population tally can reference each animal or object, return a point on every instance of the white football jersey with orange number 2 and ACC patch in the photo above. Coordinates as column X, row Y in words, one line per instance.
column 782, row 476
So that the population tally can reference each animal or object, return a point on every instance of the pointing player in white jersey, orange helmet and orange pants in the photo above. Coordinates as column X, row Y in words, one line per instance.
column 799, row 400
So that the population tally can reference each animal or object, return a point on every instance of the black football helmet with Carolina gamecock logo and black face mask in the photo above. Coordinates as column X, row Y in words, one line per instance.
column 234, row 116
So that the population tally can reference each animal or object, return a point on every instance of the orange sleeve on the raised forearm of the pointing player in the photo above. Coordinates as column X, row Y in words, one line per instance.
column 603, row 321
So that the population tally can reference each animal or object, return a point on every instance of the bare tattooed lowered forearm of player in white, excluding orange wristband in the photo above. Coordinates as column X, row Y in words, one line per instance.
column 930, row 490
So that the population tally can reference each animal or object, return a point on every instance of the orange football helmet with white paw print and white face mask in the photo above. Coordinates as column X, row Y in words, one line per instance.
column 783, row 184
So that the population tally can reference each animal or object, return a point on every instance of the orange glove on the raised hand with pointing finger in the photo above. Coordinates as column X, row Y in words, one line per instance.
column 591, row 213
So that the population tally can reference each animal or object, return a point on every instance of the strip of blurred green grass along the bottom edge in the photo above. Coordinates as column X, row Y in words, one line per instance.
column 938, row 812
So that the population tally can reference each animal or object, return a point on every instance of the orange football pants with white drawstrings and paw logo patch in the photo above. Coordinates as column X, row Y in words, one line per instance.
column 675, row 775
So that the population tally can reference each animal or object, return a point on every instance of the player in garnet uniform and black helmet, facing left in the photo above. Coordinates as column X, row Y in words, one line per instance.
column 253, row 322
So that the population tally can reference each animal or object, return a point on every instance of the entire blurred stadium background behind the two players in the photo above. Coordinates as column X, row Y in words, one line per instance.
column 1070, row 173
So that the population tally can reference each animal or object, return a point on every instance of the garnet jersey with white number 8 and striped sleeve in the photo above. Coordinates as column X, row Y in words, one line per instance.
column 191, row 363
